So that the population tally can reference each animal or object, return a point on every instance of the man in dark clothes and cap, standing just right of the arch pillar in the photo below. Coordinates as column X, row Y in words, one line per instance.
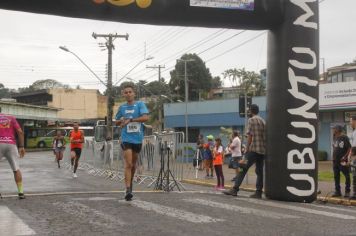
column 341, row 151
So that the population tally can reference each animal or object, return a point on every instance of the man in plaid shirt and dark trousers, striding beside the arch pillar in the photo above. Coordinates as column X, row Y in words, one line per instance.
column 255, row 152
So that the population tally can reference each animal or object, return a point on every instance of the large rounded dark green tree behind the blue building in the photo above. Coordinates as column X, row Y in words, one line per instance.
column 199, row 77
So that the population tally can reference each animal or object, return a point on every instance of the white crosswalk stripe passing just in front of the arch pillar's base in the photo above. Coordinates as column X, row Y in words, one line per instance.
column 297, row 208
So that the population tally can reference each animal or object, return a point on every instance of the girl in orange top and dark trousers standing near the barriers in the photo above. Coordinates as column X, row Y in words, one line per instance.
column 218, row 153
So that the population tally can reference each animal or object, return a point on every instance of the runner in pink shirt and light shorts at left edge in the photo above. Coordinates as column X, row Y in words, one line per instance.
column 9, row 128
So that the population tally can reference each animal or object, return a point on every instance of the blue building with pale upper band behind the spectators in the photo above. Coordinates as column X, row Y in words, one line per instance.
column 208, row 117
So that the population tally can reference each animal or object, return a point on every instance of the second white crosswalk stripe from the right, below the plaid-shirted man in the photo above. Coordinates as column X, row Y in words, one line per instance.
column 243, row 210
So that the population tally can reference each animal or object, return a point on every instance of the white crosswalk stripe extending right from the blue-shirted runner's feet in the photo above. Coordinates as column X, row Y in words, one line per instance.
column 173, row 212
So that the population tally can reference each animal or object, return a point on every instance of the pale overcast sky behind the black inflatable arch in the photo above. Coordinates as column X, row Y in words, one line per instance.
column 29, row 47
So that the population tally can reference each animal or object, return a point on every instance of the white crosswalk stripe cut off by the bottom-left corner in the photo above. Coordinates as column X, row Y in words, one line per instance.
column 11, row 224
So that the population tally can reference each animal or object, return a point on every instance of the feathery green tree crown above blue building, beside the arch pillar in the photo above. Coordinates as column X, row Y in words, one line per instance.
column 248, row 81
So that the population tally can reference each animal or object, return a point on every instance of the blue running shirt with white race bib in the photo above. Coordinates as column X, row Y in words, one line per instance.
column 133, row 132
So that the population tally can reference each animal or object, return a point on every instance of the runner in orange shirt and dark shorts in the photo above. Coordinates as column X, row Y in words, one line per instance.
column 76, row 138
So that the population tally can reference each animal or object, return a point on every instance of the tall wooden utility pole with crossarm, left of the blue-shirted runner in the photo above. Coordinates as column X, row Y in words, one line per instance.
column 110, row 100
